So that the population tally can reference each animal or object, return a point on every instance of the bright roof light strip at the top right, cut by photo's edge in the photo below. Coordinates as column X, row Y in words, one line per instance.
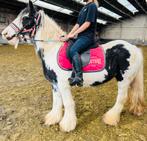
column 128, row 5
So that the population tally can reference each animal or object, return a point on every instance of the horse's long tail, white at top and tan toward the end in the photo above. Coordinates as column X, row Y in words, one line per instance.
column 136, row 93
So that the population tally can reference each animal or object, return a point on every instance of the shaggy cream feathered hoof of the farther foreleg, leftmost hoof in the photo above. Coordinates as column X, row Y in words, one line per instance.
column 52, row 118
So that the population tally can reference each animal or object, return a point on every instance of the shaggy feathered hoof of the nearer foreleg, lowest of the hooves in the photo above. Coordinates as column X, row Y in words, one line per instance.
column 67, row 125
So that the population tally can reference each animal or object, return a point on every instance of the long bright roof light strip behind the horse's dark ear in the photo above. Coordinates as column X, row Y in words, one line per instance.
column 50, row 6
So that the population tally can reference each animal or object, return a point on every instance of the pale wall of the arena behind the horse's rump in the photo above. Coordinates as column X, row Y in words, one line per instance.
column 133, row 30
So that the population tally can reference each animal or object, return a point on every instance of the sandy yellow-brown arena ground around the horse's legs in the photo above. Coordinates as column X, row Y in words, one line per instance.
column 25, row 98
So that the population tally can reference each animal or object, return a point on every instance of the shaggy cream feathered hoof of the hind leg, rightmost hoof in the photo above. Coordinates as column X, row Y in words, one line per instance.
column 111, row 118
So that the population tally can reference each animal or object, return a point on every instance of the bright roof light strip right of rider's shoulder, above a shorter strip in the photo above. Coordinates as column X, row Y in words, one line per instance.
column 108, row 12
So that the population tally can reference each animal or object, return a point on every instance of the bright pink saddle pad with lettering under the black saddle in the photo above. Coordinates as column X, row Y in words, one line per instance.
column 96, row 63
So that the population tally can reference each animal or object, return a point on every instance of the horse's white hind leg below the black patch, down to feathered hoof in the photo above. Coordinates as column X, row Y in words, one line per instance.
column 112, row 117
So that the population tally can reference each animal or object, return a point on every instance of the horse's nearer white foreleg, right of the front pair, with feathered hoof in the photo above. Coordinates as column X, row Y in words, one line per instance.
column 68, row 123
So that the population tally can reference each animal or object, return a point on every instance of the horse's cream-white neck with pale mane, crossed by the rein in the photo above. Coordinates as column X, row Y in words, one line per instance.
column 49, row 30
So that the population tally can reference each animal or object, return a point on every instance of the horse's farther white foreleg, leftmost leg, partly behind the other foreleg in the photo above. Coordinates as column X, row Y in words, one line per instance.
column 55, row 115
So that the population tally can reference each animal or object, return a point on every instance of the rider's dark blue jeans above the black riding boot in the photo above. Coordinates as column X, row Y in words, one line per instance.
column 79, row 45
